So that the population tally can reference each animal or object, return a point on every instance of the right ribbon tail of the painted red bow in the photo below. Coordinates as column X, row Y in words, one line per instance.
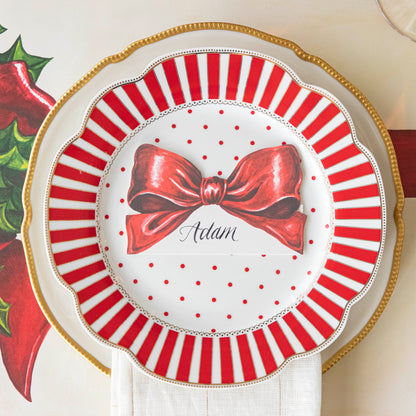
column 289, row 231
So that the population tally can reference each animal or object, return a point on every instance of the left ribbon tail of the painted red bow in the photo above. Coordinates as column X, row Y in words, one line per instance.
column 145, row 230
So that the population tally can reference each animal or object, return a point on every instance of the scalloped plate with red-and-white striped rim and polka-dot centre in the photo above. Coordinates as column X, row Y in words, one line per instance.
column 215, row 312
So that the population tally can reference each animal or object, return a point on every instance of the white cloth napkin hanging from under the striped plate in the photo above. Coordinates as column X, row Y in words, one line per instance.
column 296, row 392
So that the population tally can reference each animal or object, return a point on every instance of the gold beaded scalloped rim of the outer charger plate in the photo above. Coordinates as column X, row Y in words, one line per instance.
column 266, row 37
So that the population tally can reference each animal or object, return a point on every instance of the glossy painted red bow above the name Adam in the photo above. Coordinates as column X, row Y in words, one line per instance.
column 263, row 190
